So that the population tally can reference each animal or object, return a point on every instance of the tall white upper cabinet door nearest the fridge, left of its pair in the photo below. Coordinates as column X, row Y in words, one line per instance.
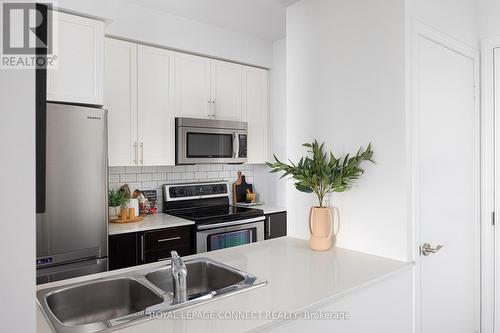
column 120, row 99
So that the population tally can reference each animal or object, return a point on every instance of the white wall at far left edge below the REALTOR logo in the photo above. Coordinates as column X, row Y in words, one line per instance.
column 17, row 176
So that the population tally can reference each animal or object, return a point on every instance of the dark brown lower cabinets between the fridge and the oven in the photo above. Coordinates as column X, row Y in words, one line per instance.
column 126, row 250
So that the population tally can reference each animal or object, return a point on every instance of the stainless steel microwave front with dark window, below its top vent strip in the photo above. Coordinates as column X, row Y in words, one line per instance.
column 196, row 145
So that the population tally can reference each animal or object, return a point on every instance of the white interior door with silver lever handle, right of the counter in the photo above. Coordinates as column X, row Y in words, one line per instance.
column 446, row 161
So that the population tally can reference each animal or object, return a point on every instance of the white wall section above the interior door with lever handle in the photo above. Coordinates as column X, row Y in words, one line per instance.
column 457, row 18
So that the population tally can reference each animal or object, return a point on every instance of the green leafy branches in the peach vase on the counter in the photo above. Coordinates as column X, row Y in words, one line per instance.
column 323, row 173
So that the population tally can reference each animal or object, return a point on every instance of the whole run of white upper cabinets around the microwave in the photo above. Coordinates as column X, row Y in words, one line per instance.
column 147, row 87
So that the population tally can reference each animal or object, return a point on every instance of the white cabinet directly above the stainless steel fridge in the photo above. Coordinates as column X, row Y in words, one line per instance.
column 77, row 76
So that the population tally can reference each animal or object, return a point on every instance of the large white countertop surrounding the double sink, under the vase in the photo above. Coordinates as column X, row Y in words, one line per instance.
column 298, row 279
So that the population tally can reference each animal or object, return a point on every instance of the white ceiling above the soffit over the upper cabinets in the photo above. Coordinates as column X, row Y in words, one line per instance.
column 263, row 18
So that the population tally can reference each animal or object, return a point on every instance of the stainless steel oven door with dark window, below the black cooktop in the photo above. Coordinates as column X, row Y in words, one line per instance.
column 228, row 234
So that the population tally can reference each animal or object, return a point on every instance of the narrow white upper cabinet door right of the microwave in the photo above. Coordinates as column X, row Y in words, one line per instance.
column 256, row 112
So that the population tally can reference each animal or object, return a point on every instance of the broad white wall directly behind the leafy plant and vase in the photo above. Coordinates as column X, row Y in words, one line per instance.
column 346, row 86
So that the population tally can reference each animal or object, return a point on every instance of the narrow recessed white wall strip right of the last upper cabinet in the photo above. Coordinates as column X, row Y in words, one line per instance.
column 270, row 188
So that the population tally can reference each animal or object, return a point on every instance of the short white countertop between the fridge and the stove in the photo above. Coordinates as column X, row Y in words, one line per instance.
column 152, row 222
